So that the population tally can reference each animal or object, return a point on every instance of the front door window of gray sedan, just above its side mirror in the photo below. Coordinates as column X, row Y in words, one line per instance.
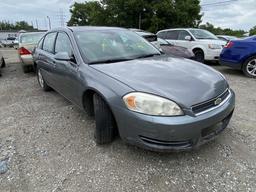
column 63, row 44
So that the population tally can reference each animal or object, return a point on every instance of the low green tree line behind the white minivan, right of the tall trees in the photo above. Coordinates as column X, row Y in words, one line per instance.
column 220, row 31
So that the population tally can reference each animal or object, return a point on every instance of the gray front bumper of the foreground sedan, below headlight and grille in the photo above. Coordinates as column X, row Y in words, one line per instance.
column 173, row 133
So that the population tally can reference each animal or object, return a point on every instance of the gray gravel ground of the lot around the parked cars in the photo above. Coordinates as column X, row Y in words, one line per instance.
column 46, row 145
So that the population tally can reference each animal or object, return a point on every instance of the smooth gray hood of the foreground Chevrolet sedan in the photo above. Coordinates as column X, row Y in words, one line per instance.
column 184, row 81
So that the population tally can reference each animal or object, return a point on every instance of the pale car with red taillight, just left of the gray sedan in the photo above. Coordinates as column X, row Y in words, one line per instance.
column 27, row 43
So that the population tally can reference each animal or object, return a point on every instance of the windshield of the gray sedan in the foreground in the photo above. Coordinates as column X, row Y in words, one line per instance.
column 102, row 46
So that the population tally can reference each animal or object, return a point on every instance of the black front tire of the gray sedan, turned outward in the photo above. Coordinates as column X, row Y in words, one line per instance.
column 104, row 132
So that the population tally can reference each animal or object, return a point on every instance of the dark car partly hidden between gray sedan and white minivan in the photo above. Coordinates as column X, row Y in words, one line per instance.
column 171, row 49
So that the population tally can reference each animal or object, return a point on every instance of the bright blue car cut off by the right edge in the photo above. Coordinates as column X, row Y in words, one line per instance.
column 241, row 54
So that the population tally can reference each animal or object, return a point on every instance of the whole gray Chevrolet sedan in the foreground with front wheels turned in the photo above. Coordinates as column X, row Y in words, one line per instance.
column 152, row 101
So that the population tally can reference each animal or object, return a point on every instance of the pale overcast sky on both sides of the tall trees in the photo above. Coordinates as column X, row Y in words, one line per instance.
column 236, row 14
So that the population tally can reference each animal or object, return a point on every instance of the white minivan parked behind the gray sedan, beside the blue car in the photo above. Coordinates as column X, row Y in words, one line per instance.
column 205, row 45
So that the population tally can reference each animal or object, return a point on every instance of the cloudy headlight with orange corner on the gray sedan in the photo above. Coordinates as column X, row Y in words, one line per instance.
column 151, row 104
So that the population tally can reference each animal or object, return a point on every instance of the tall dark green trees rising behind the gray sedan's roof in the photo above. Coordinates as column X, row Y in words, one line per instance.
column 155, row 14
